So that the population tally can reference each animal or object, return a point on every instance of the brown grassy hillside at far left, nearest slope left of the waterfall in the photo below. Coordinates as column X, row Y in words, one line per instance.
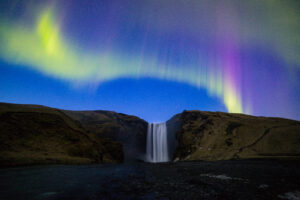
column 32, row 134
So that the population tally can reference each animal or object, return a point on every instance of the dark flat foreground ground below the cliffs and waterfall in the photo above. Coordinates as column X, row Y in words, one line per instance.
column 183, row 180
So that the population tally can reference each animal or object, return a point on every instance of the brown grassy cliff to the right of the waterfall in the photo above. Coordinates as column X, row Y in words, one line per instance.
column 223, row 136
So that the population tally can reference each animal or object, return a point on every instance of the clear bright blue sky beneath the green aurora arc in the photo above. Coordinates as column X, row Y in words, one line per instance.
column 151, row 99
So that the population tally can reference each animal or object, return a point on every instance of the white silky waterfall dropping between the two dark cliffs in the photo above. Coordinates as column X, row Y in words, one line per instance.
column 157, row 143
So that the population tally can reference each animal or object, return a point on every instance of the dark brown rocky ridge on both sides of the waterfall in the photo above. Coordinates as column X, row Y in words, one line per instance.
column 31, row 134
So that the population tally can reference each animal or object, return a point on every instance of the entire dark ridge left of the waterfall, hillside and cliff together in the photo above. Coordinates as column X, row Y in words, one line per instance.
column 32, row 134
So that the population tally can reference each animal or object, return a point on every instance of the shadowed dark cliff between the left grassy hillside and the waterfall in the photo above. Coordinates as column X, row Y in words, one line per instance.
column 129, row 130
